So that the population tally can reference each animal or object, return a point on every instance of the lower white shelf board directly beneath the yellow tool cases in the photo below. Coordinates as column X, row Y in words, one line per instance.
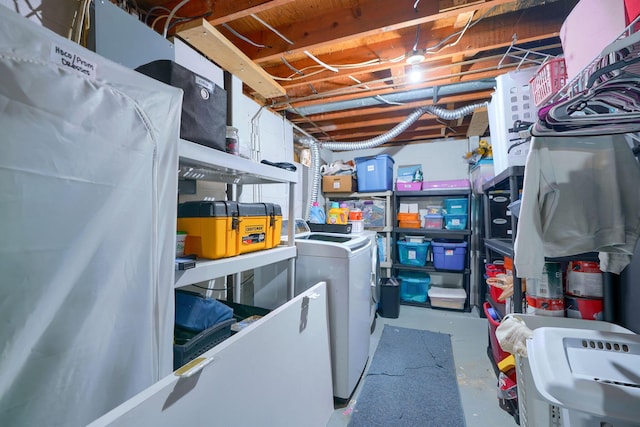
column 212, row 269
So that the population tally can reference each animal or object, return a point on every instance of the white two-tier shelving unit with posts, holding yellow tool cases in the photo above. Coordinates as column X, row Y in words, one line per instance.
column 203, row 163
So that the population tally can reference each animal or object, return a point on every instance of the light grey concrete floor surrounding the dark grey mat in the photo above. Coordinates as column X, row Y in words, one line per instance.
column 476, row 378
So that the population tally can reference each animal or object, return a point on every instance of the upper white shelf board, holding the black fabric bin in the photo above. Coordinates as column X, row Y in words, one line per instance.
column 200, row 162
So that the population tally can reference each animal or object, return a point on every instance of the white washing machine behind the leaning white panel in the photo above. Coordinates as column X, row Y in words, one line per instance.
column 344, row 262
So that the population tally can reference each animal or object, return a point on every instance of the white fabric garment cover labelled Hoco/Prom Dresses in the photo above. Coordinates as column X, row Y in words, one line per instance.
column 88, row 154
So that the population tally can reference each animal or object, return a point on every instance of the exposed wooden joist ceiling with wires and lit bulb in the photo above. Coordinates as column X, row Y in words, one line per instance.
column 338, row 69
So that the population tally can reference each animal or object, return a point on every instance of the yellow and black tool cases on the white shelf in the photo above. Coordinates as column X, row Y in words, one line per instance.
column 221, row 229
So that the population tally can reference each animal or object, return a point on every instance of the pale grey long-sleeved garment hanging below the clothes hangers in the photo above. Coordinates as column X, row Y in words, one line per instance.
column 580, row 195
